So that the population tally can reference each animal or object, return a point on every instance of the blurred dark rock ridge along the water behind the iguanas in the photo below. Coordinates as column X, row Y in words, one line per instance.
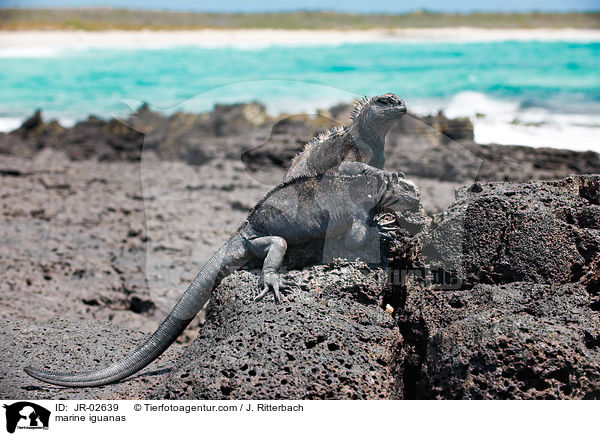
column 432, row 147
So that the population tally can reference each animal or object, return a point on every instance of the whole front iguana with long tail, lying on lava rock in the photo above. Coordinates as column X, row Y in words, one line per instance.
column 297, row 211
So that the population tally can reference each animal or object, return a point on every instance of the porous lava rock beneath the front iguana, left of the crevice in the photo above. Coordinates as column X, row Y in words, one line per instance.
column 329, row 339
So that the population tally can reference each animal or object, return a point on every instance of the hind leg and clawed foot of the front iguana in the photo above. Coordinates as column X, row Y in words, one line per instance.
column 271, row 249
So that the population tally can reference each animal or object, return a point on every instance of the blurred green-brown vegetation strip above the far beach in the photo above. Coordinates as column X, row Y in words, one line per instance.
column 127, row 19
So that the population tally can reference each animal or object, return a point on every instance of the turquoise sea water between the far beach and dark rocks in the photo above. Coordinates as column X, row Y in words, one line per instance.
column 508, row 82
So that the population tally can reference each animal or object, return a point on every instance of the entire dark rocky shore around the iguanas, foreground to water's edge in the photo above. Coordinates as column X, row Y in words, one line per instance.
column 110, row 220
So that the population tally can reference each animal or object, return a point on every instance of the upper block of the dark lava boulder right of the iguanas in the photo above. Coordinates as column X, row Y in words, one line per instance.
column 538, row 232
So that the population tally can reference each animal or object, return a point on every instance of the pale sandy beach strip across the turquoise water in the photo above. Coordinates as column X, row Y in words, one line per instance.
column 11, row 40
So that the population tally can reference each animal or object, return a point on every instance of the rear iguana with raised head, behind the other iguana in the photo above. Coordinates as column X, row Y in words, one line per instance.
column 361, row 141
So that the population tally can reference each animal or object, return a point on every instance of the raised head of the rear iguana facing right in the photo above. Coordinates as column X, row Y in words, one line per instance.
column 379, row 112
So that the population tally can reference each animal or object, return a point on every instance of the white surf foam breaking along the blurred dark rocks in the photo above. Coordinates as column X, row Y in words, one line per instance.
column 494, row 120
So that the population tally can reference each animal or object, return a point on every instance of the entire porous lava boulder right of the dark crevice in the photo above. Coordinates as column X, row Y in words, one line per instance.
column 519, row 317
